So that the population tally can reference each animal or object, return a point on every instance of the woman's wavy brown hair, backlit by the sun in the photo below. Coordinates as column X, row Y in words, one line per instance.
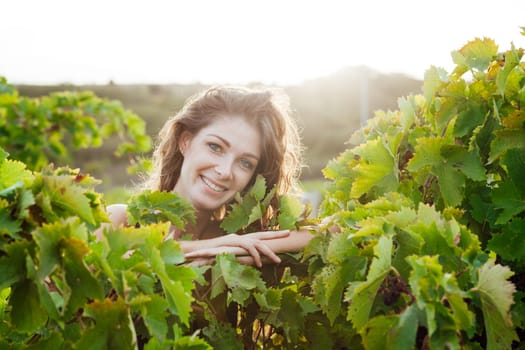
column 267, row 109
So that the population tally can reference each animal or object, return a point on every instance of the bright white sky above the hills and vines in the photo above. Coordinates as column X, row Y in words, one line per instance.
column 240, row 41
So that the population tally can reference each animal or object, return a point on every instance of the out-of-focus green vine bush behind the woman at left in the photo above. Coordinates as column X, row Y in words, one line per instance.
column 37, row 131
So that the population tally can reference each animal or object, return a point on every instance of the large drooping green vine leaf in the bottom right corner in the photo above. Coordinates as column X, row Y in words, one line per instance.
column 496, row 294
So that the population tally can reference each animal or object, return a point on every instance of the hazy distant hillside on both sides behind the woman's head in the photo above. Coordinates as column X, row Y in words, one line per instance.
column 328, row 109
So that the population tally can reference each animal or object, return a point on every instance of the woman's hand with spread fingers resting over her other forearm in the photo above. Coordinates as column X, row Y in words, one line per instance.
column 248, row 244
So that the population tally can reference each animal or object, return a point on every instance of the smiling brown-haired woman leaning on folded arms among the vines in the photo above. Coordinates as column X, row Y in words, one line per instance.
column 214, row 148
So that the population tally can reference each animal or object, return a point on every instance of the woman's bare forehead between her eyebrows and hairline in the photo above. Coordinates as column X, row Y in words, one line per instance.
column 236, row 131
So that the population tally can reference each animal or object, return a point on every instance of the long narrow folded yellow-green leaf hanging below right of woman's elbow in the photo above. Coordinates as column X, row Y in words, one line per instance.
column 361, row 295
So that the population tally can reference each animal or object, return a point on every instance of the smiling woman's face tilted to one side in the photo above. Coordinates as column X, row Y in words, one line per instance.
column 219, row 161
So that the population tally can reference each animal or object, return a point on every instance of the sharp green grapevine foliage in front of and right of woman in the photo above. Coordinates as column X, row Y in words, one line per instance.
column 419, row 243
